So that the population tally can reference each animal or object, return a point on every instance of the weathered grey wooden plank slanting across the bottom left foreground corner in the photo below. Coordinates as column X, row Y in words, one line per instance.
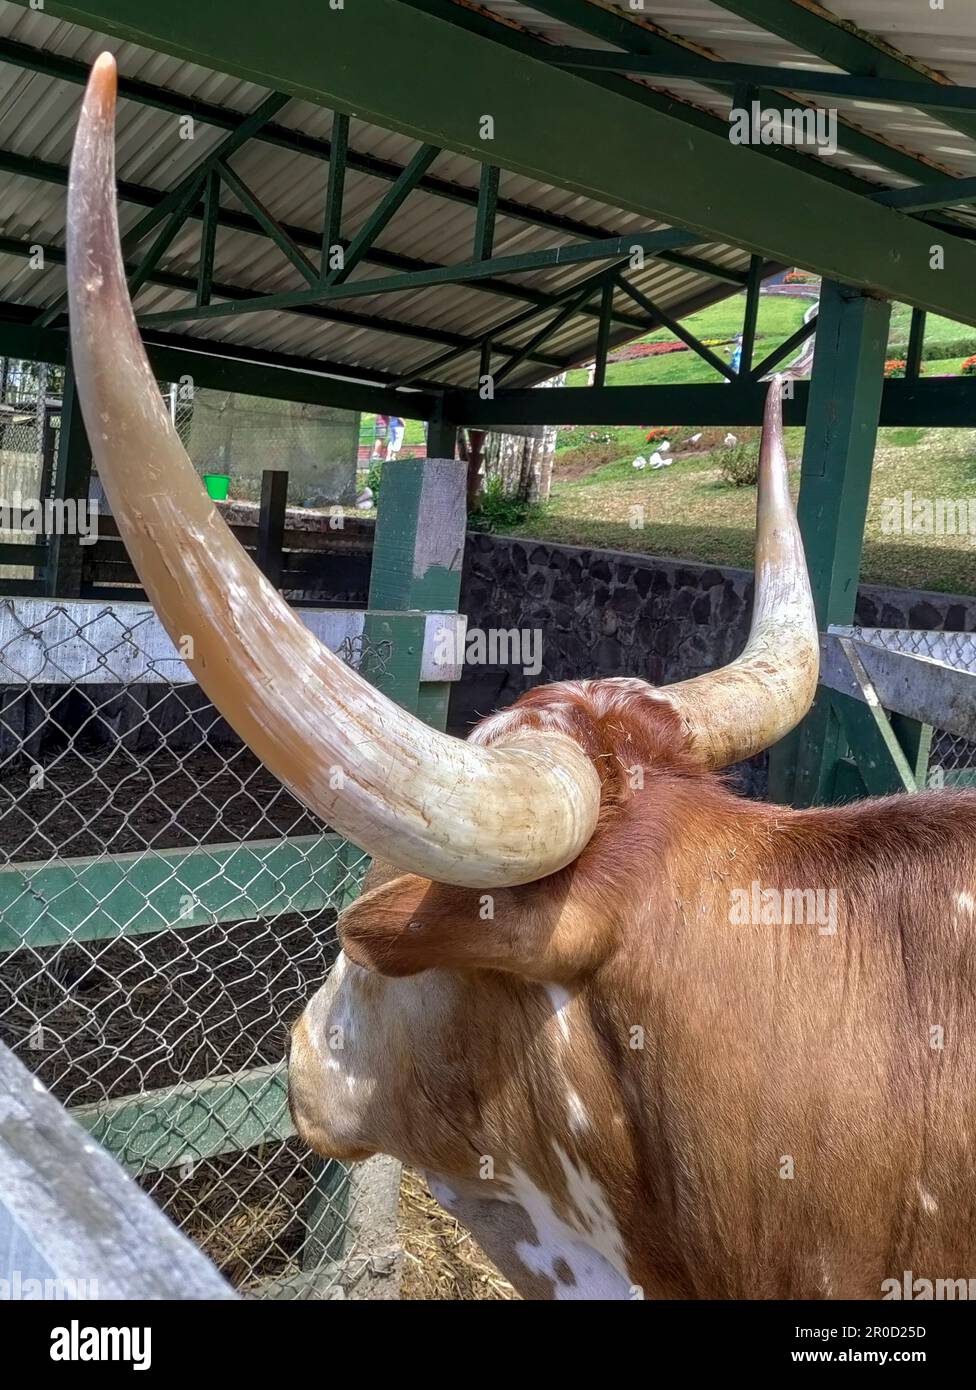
column 70, row 1214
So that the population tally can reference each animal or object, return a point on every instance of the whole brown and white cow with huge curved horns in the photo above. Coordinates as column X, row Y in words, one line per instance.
column 642, row 1035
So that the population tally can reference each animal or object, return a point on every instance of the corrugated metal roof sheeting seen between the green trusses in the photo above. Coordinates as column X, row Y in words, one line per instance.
column 38, row 116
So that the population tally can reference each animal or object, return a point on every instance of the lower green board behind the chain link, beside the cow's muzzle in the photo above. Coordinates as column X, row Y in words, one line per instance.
column 193, row 1122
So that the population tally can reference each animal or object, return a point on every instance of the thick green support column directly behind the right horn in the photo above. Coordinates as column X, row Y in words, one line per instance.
column 839, row 452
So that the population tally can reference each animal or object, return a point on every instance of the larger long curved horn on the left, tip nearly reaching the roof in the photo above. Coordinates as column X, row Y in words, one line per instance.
column 433, row 806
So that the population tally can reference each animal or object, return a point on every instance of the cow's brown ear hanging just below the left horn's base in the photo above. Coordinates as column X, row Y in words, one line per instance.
column 411, row 925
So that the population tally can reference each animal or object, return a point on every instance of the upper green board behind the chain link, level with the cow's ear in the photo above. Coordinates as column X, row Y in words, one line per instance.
column 124, row 896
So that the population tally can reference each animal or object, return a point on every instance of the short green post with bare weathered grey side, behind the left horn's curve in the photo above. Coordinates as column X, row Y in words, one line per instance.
column 418, row 558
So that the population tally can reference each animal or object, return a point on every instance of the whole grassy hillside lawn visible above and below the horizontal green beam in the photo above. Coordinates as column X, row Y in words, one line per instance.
column 688, row 511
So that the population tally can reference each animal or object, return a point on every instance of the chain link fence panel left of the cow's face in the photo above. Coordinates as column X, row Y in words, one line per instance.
column 166, row 911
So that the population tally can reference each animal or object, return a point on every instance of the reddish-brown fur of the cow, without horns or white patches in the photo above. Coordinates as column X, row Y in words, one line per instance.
column 763, row 1045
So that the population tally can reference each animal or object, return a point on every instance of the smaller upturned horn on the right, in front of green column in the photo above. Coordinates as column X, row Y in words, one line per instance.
column 749, row 705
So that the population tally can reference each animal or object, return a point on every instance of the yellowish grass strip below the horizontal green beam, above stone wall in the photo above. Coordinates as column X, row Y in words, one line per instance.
column 689, row 512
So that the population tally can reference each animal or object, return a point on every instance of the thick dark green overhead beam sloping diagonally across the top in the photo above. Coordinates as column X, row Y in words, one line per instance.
column 553, row 126
